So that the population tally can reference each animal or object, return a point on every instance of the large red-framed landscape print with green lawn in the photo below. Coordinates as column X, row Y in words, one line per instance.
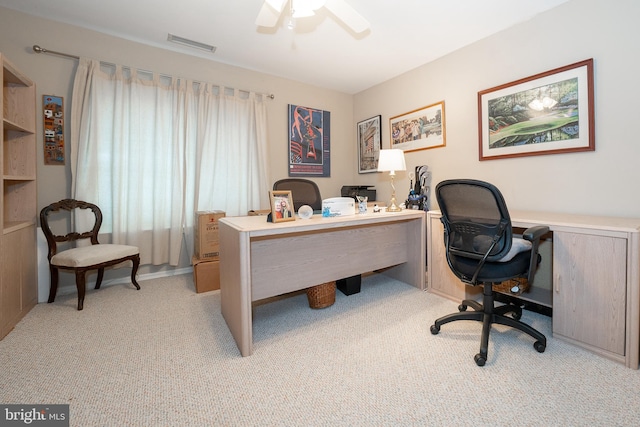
column 548, row 113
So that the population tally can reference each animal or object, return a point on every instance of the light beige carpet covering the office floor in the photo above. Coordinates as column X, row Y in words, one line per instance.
column 163, row 356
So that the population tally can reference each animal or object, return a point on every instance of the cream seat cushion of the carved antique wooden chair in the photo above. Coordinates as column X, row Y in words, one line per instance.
column 92, row 255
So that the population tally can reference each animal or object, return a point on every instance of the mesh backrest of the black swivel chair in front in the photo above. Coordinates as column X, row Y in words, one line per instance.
column 475, row 217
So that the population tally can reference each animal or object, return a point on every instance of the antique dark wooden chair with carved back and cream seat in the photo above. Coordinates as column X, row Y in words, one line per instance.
column 83, row 259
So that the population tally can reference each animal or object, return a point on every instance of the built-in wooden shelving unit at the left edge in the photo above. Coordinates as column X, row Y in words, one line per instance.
column 18, row 282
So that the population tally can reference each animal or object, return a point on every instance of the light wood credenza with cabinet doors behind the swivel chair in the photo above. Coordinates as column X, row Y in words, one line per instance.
column 595, row 279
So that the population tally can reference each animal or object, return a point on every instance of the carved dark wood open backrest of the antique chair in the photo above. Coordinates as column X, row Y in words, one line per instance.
column 73, row 236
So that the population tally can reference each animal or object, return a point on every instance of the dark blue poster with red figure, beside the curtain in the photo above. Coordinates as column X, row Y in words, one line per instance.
column 309, row 142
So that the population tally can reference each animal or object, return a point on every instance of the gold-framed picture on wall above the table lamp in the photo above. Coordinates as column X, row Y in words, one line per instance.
column 419, row 129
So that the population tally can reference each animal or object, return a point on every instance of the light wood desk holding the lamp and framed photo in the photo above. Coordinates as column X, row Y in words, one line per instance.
column 259, row 260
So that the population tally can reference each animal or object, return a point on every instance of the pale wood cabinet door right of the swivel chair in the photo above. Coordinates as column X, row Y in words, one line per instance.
column 590, row 289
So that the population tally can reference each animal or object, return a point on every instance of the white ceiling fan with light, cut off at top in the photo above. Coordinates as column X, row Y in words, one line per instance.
column 272, row 9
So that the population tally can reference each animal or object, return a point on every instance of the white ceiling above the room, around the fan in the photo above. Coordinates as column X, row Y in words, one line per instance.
column 321, row 51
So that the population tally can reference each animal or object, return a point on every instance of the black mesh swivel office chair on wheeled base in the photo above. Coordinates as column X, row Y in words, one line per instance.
column 481, row 250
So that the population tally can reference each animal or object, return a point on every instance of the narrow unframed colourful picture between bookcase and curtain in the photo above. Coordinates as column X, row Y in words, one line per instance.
column 53, row 111
